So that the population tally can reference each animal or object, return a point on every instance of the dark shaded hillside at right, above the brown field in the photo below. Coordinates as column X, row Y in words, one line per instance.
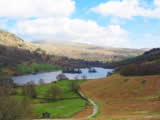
column 146, row 64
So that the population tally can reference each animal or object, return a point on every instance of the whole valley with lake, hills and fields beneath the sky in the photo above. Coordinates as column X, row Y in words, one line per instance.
column 116, row 83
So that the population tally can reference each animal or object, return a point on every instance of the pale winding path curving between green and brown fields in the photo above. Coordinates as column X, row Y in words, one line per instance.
column 95, row 107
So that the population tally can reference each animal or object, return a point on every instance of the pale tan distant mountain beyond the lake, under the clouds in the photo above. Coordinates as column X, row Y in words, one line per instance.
column 86, row 51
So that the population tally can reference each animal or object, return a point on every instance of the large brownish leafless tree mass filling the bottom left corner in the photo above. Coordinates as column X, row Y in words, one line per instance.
column 12, row 108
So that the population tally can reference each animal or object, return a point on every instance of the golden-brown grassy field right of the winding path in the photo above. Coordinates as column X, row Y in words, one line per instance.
column 125, row 97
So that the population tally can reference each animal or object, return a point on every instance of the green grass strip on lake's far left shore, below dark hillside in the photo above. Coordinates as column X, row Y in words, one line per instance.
column 36, row 68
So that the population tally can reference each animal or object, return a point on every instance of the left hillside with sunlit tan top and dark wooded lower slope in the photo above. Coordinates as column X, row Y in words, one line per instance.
column 14, row 51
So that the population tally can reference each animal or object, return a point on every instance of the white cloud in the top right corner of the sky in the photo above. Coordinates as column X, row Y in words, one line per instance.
column 127, row 9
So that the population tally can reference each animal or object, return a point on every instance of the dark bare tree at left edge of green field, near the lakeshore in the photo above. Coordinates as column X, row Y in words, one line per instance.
column 29, row 90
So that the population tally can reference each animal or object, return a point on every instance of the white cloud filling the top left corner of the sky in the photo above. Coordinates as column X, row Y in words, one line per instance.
column 36, row 8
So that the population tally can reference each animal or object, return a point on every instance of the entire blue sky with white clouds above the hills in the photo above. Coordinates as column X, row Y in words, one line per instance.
column 113, row 23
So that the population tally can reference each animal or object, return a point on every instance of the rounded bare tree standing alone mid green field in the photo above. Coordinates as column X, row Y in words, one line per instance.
column 54, row 93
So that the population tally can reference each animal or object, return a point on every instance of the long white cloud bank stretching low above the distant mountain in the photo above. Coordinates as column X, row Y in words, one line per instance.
column 76, row 30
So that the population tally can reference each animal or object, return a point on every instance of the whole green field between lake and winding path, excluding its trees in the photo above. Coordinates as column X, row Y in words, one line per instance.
column 71, row 103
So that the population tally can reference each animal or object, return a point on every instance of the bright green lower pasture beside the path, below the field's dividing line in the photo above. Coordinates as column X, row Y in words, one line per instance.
column 61, row 109
